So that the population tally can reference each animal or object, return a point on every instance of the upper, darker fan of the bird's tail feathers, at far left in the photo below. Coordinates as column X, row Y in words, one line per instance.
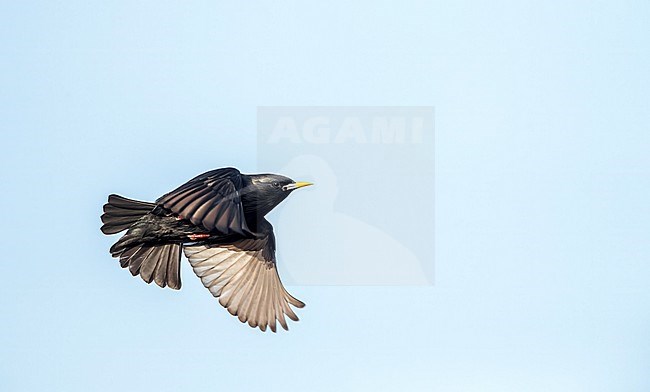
column 120, row 213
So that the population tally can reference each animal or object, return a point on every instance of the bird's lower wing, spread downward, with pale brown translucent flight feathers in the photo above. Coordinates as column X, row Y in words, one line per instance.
column 244, row 277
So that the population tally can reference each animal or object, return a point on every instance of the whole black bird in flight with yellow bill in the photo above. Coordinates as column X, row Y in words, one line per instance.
column 217, row 218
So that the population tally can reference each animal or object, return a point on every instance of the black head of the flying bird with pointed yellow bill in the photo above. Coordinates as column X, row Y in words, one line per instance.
column 265, row 191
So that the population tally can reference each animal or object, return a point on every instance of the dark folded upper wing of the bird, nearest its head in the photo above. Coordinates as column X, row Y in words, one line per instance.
column 211, row 200
